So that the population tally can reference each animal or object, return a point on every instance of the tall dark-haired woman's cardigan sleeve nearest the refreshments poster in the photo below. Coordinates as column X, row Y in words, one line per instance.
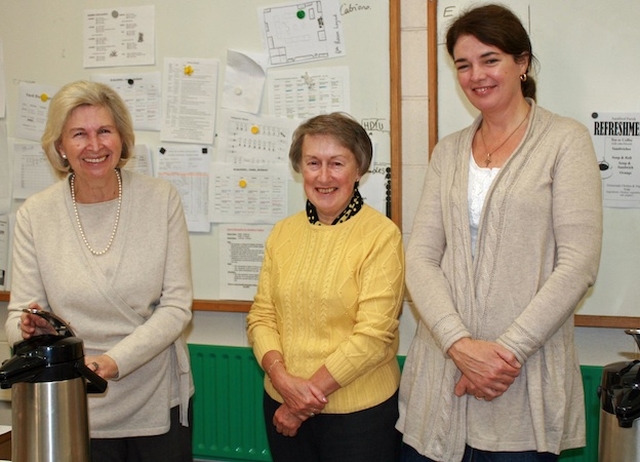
column 577, row 229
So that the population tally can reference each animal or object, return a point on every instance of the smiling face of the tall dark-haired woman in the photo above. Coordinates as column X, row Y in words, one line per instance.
column 489, row 77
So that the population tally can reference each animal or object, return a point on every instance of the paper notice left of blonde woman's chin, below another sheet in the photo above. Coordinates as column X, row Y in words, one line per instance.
column 32, row 172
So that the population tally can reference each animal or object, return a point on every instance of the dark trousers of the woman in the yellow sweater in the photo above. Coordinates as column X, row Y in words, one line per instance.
column 363, row 436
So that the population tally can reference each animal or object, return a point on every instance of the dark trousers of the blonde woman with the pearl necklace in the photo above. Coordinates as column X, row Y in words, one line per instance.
column 173, row 446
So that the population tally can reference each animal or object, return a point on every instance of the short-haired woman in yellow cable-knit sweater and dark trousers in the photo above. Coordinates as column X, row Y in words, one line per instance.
column 324, row 322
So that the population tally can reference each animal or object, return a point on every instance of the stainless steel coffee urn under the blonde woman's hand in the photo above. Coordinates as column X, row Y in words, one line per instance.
column 49, row 383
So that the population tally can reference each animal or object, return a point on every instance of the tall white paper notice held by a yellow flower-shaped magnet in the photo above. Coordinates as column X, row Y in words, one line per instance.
column 189, row 100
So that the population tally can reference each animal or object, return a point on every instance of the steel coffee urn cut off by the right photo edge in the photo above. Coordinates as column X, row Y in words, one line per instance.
column 619, row 391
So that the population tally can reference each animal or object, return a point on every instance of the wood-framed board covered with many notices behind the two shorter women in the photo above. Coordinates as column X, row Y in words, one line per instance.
column 43, row 44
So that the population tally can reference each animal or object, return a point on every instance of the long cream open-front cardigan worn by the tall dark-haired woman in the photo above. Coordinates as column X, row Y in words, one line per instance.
column 537, row 253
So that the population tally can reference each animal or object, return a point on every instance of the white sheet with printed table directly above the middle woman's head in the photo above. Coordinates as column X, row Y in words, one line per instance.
column 305, row 93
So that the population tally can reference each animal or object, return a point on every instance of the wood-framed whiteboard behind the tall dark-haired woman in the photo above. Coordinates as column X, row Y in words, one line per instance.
column 584, row 51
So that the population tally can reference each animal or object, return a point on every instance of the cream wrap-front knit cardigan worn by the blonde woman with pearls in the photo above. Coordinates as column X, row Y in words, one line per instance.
column 133, row 303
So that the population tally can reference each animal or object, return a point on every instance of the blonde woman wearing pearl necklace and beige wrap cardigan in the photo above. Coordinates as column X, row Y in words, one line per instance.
column 107, row 250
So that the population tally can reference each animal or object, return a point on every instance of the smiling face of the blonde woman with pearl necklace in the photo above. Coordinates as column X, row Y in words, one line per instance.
column 91, row 143
